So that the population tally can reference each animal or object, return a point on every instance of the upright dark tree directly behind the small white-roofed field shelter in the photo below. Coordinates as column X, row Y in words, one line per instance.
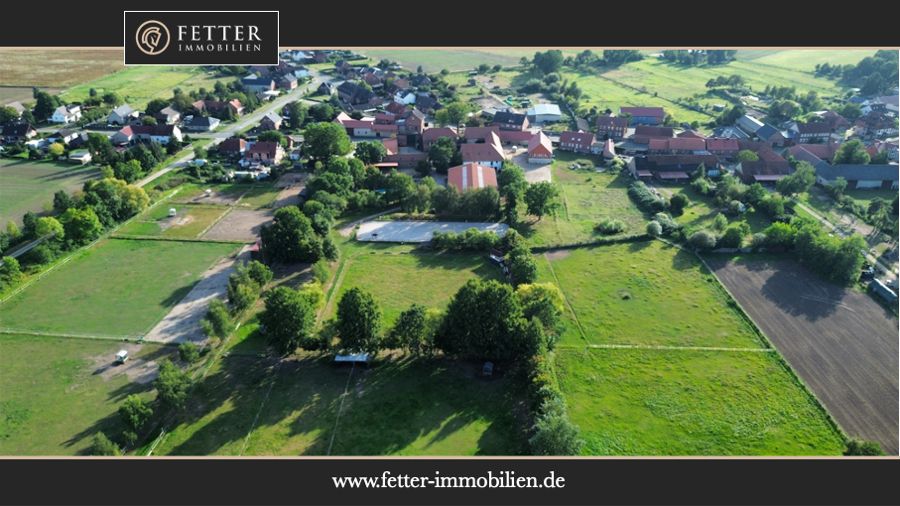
column 359, row 321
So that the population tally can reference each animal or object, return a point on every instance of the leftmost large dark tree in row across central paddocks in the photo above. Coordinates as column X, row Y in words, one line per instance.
column 289, row 319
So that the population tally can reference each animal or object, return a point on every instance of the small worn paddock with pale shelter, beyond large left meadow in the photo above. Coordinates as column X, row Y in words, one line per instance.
column 189, row 222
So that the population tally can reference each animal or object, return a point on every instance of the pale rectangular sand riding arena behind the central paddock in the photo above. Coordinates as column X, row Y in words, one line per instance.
column 419, row 231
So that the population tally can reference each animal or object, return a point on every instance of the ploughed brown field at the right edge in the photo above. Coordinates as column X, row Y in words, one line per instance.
column 840, row 341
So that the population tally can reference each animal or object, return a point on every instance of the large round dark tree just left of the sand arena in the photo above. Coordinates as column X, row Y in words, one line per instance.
column 290, row 237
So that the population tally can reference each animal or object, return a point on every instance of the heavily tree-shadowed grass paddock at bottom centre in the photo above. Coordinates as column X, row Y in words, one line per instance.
column 249, row 405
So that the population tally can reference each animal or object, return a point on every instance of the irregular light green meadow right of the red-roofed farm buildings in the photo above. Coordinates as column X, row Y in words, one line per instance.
column 587, row 197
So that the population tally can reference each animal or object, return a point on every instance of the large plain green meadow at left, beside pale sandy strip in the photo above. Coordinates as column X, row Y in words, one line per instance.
column 119, row 287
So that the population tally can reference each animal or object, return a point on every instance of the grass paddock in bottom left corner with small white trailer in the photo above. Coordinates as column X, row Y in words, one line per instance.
column 55, row 392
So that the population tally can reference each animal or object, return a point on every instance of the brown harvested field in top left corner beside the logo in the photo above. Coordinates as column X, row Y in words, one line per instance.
column 55, row 68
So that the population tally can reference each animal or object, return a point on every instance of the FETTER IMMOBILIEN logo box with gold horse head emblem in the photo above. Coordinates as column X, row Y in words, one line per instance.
column 238, row 38
